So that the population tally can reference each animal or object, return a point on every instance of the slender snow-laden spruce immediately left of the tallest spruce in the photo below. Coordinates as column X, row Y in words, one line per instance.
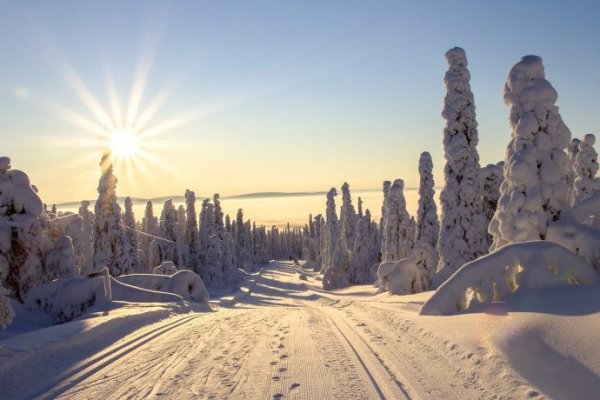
column 427, row 226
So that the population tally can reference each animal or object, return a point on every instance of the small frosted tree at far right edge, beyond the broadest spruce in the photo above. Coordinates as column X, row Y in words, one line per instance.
column 585, row 169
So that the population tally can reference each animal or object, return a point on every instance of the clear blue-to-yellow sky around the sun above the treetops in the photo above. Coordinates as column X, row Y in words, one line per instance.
column 249, row 96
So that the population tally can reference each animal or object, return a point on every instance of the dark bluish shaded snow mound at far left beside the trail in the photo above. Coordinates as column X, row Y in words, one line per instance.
column 67, row 298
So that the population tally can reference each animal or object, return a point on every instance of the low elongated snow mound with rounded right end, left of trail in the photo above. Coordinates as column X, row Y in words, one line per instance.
column 185, row 283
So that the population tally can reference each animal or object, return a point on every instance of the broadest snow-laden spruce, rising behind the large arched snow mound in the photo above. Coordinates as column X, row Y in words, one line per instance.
column 534, row 191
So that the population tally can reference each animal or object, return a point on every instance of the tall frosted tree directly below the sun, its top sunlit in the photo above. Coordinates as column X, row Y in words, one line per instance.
column 109, row 235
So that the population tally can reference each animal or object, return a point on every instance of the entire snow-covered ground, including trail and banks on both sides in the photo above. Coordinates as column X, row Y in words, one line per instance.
column 284, row 337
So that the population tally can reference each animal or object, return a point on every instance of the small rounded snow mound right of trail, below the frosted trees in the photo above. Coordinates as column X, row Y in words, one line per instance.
column 405, row 276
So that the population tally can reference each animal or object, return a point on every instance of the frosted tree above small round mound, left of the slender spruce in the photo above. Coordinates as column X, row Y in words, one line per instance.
column 397, row 232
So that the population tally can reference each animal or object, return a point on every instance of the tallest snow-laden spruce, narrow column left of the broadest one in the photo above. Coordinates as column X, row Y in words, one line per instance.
column 463, row 225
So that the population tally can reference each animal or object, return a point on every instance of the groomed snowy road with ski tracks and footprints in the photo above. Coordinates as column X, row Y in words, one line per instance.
column 285, row 340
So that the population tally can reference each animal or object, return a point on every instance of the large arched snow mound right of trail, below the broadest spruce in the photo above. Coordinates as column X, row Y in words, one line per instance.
column 520, row 266
